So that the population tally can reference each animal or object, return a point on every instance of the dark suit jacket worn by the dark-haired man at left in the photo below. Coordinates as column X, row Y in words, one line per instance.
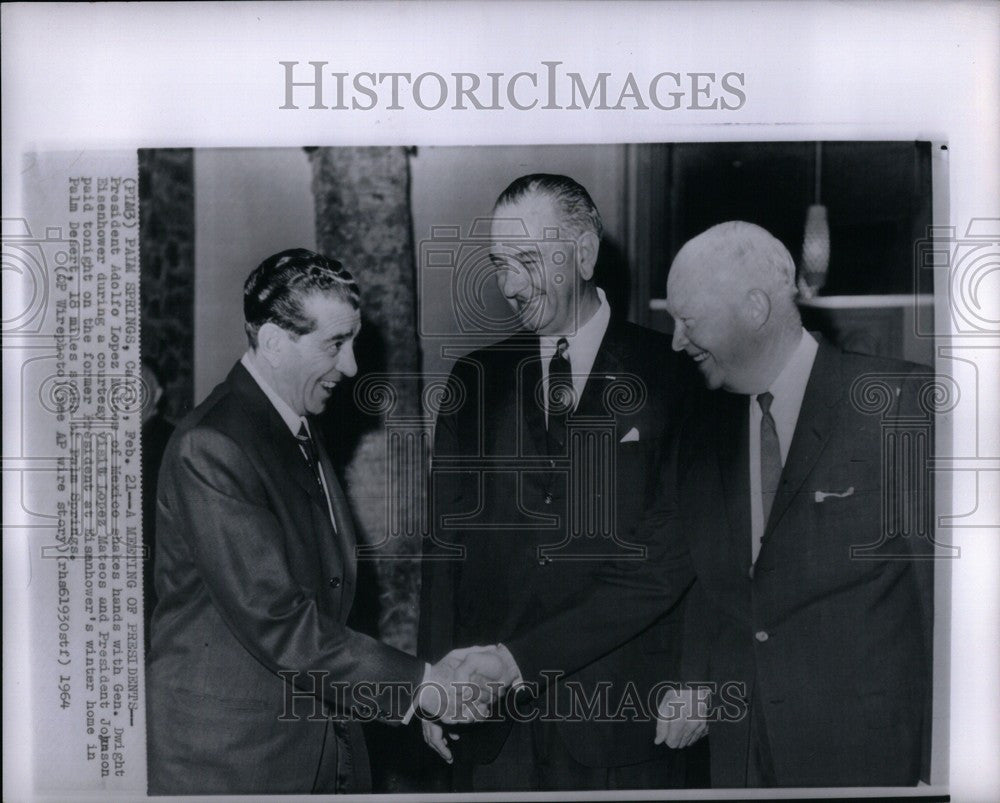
column 253, row 580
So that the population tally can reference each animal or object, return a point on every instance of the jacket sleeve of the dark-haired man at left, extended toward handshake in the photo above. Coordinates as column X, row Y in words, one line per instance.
column 238, row 548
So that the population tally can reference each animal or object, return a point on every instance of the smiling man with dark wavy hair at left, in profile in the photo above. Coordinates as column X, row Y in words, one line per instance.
column 254, row 683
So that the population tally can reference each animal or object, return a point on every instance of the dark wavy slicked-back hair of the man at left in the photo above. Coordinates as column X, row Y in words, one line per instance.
column 276, row 289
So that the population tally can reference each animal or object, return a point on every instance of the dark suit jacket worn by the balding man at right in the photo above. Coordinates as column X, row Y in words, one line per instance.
column 836, row 643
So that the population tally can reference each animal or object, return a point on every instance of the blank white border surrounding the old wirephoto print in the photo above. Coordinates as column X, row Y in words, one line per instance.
column 125, row 76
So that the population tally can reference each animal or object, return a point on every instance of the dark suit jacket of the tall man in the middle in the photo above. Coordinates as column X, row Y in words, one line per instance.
column 507, row 503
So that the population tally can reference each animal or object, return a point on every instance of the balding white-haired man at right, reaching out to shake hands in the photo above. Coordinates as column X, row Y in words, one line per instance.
column 799, row 500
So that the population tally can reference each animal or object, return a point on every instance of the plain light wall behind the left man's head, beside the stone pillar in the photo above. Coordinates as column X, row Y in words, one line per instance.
column 249, row 203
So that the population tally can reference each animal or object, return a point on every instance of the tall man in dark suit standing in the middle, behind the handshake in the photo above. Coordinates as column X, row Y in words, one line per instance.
column 546, row 463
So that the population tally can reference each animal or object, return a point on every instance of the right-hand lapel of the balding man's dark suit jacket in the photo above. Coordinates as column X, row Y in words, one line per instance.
column 816, row 422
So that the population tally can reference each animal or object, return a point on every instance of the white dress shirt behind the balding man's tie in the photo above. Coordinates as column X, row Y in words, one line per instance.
column 788, row 390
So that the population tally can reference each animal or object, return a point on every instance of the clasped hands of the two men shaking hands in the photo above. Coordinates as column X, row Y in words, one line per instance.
column 461, row 688
